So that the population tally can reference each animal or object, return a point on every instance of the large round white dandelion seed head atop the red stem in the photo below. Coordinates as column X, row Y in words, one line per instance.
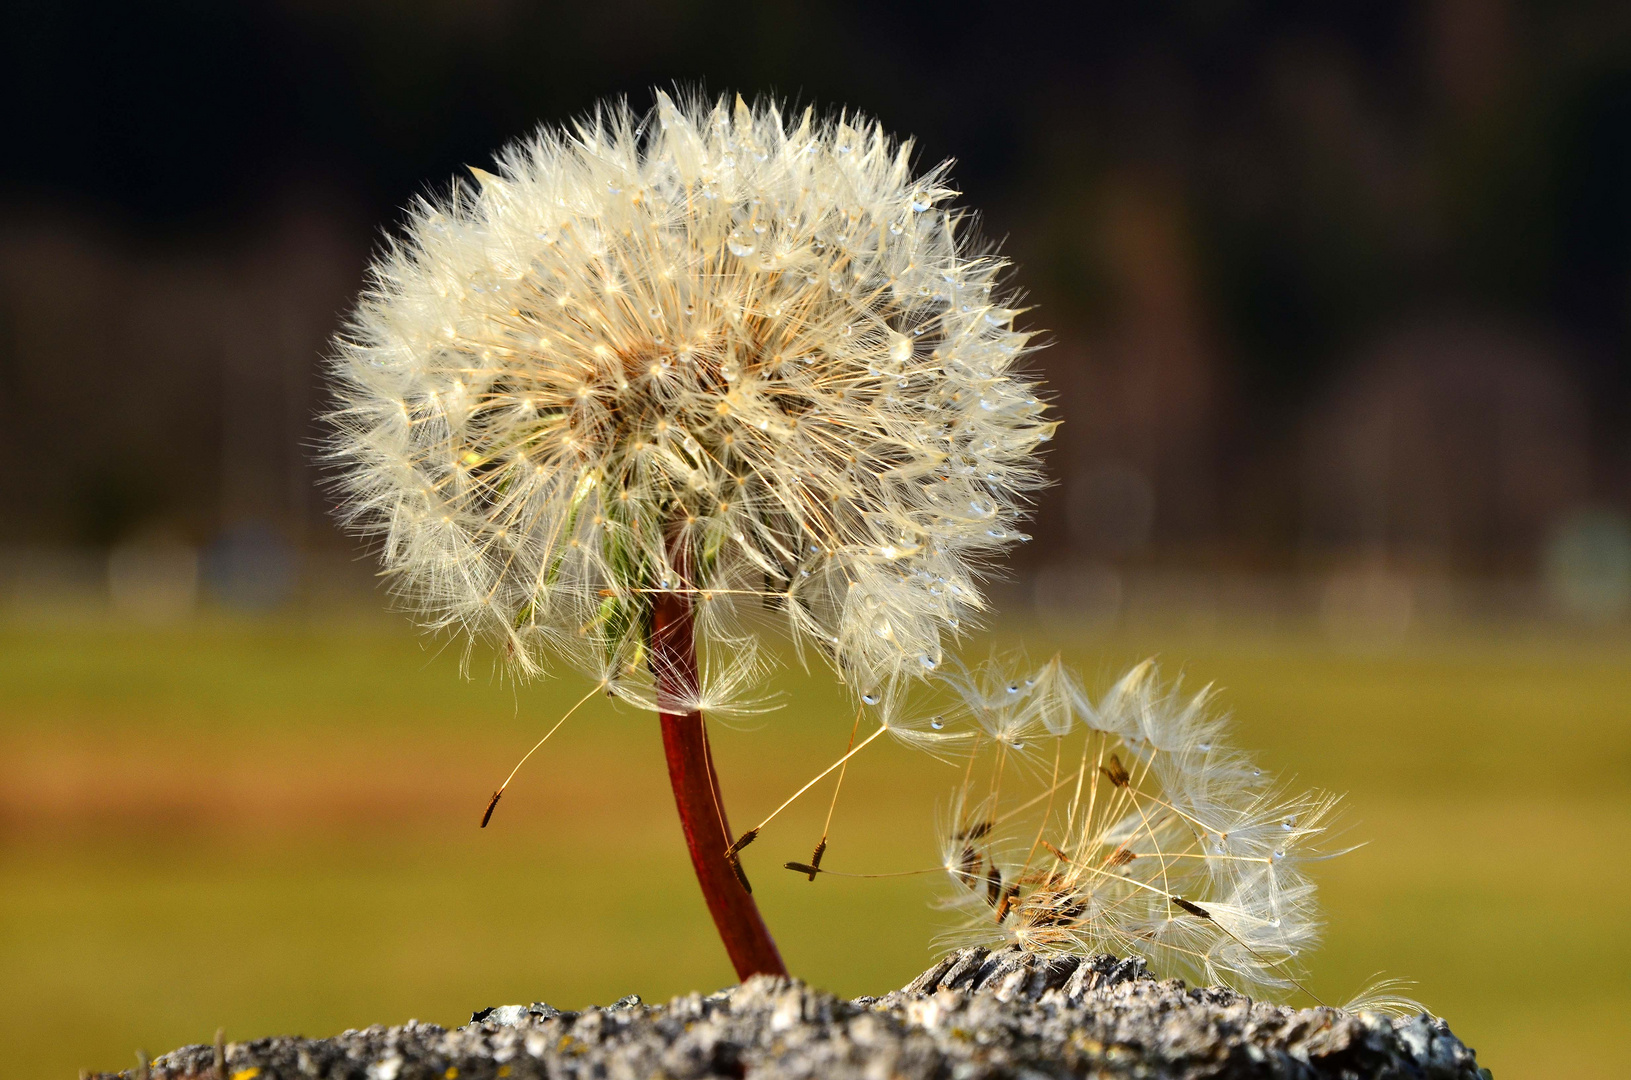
column 705, row 352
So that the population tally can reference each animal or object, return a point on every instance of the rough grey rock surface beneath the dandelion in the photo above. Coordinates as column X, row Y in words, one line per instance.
column 975, row 1014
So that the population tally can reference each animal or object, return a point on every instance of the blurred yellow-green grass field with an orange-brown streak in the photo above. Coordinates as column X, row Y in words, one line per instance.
column 273, row 828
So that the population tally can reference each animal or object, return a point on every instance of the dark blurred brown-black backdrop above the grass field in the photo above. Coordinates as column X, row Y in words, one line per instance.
column 1328, row 286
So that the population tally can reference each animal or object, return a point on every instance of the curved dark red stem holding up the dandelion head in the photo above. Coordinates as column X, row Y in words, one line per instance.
column 697, row 795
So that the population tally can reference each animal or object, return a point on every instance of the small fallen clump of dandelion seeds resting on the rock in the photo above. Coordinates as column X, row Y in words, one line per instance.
column 1131, row 830
